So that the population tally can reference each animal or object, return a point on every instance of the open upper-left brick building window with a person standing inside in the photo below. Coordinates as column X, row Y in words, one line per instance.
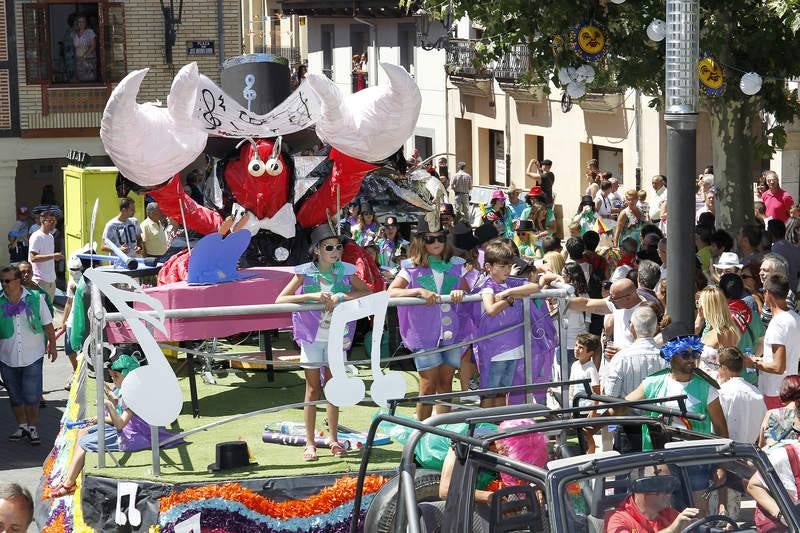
column 74, row 43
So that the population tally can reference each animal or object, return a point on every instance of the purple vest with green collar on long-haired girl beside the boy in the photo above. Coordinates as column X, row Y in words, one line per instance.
column 424, row 327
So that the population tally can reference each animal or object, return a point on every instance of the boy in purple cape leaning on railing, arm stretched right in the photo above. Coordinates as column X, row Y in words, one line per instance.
column 500, row 358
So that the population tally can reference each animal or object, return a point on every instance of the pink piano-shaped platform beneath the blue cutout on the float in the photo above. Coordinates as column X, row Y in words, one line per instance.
column 263, row 288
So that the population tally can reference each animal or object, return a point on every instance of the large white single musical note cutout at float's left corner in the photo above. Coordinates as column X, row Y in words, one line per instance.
column 151, row 391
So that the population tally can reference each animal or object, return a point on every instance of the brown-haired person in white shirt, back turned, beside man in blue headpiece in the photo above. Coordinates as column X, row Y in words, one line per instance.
column 742, row 403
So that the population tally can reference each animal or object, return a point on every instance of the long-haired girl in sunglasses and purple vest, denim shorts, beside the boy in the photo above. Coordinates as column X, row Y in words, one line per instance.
column 430, row 271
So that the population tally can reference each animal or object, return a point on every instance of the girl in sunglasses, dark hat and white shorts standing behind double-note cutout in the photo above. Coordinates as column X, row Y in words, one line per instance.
column 328, row 281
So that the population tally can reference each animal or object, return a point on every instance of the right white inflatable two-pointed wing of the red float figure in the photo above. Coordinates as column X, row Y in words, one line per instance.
column 371, row 124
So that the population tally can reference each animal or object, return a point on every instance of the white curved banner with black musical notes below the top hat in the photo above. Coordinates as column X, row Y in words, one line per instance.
column 219, row 114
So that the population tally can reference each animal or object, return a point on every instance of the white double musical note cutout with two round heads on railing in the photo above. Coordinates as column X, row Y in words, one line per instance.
column 342, row 390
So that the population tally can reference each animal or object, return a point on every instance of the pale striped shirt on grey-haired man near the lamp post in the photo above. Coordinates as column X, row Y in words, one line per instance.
column 630, row 366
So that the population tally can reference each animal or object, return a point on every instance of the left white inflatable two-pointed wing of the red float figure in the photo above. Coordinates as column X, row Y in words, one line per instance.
column 149, row 144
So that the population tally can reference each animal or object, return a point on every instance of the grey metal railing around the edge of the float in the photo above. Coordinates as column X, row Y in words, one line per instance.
column 99, row 318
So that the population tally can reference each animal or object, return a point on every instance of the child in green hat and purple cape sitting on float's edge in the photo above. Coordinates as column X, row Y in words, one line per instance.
column 125, row 432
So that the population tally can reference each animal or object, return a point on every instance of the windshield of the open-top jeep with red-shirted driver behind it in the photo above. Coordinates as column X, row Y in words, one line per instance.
column 652, row 497
